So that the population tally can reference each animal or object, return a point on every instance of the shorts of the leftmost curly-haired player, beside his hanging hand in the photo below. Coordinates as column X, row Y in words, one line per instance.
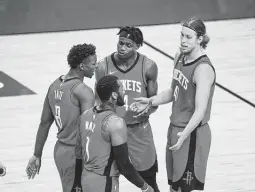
column 69, row 168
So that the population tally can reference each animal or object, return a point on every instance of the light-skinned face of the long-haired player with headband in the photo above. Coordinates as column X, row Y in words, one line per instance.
column 189, row 40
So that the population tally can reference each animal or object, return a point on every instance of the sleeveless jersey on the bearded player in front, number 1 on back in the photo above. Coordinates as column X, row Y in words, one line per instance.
column 95, row 142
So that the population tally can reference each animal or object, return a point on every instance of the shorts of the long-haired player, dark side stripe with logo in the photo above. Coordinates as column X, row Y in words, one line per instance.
column 186, row 167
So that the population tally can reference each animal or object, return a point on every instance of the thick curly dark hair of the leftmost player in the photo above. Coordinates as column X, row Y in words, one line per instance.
column 80, row 52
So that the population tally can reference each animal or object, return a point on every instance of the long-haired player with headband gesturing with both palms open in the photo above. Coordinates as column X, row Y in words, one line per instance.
column 192, row 89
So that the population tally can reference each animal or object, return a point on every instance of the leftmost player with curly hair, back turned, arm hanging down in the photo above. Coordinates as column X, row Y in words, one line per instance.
column 67, row 98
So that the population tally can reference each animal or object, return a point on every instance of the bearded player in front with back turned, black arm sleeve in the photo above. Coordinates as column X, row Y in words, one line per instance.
column 102, row 142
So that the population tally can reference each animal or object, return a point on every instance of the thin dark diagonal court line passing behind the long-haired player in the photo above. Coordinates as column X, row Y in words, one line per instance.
column 217, row 84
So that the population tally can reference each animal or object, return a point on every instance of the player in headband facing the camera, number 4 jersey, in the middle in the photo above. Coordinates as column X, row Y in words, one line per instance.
column 138, row 75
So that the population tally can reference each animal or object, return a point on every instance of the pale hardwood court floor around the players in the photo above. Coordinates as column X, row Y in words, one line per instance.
column 36, row 60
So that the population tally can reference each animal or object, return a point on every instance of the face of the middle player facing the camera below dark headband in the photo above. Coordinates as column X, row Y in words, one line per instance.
column 126, row 48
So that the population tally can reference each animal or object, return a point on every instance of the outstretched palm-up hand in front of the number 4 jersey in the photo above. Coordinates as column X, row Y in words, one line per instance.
column 140, row 106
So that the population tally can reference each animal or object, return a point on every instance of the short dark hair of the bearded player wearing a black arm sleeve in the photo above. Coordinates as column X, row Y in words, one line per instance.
column 105, row 86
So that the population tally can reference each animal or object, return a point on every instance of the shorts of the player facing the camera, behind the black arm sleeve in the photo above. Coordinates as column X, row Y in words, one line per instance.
column 141, row 147
